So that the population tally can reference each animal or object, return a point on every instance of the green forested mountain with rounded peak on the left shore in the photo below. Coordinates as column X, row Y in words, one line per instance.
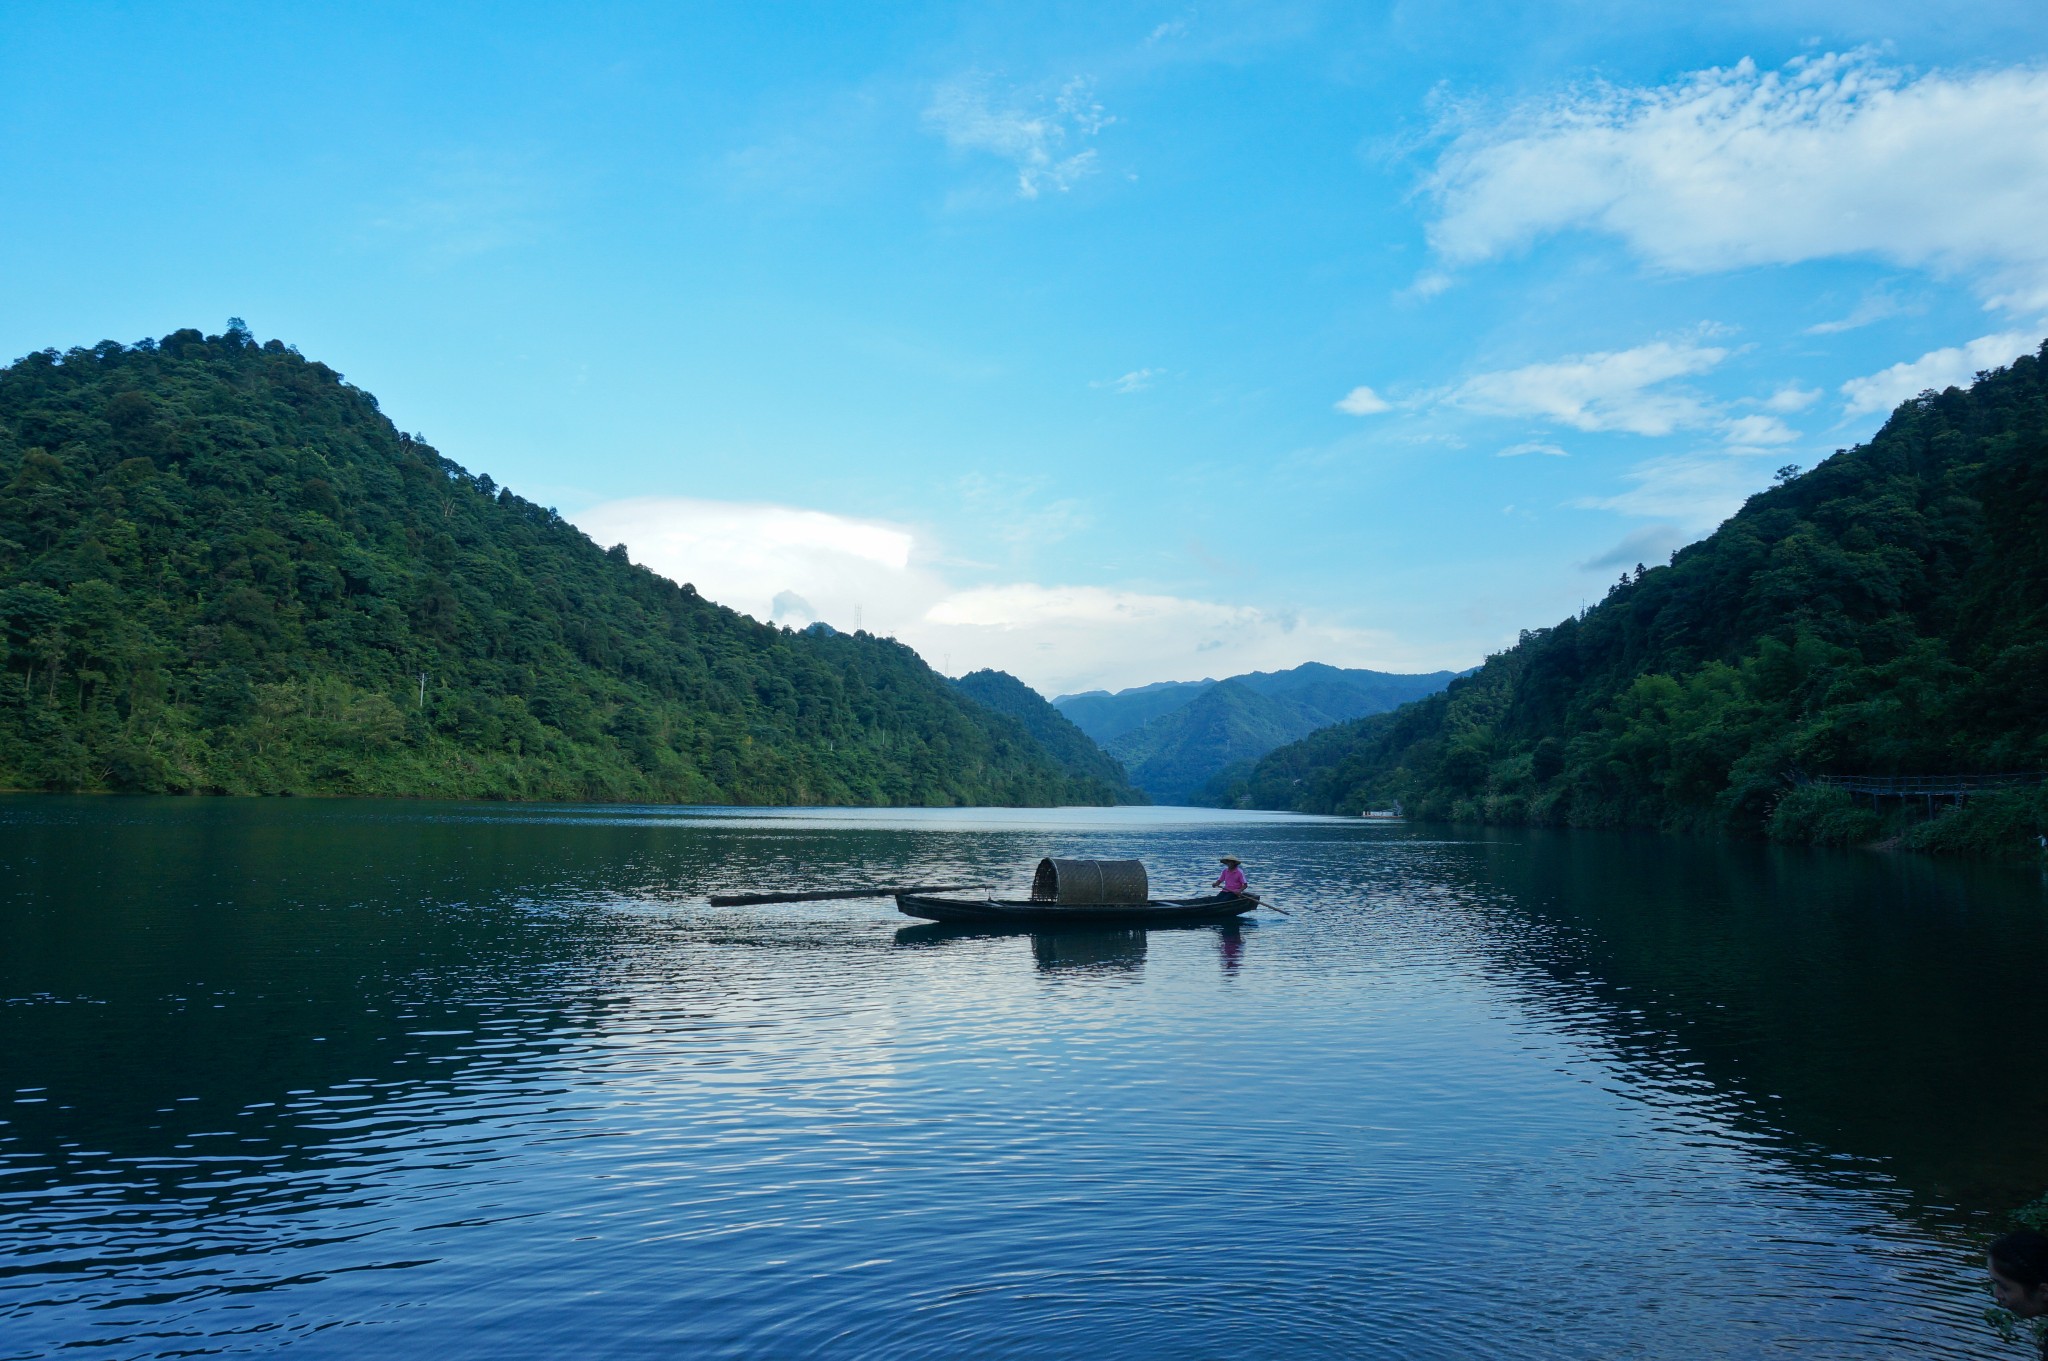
column 224, row 570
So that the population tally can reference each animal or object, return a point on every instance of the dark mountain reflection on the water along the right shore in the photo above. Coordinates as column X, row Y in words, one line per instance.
column 1848, row 1006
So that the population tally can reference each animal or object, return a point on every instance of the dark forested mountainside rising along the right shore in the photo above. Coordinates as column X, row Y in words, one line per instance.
column 1885, row 613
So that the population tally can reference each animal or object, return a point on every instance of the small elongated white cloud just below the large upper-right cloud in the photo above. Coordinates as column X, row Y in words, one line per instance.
column 1621, row 390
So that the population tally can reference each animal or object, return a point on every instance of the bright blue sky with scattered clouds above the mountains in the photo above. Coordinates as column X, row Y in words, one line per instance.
column 1097, row 343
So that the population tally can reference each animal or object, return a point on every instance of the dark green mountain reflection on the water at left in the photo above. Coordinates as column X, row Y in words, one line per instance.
column 249, row 985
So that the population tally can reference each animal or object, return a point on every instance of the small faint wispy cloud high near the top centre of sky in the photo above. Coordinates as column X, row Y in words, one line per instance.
column 1037, row 136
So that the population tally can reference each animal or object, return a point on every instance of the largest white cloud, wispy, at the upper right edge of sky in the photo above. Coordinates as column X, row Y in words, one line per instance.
column 1730, row 169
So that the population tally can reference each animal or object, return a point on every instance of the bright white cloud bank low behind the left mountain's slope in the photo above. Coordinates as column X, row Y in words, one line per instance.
column 796, row 566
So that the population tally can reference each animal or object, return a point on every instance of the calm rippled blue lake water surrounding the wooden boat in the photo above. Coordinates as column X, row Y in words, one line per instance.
column 493, row 1082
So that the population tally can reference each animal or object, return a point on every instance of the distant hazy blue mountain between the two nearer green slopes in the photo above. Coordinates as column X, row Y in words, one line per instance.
column 1179, row 738
